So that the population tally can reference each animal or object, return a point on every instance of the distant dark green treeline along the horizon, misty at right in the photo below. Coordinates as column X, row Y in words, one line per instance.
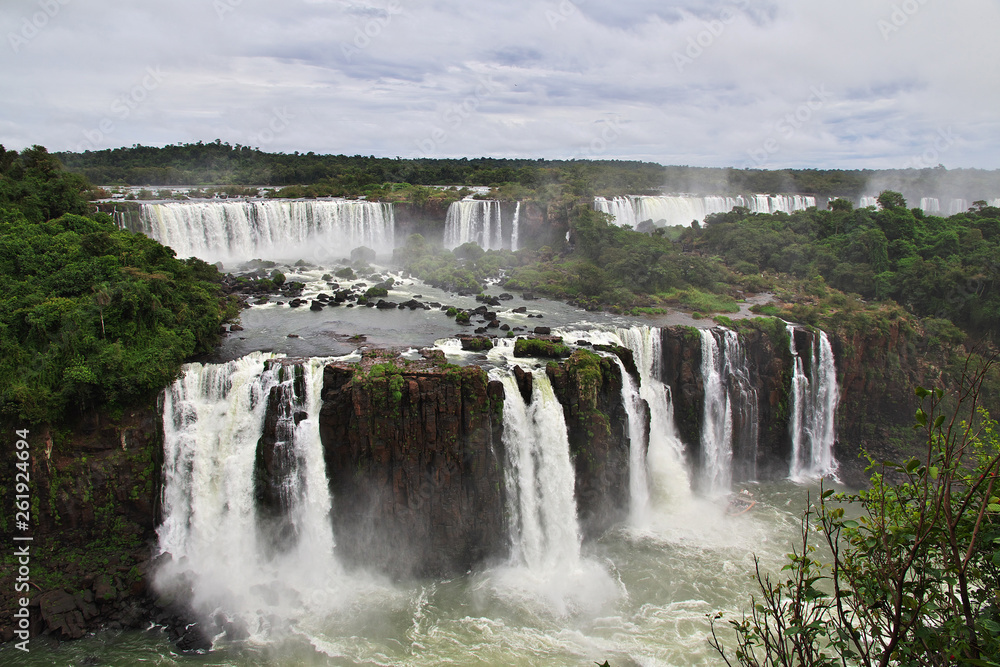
column 219, row 163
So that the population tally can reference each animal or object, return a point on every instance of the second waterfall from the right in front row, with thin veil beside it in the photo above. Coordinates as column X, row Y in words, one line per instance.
column 730, row 424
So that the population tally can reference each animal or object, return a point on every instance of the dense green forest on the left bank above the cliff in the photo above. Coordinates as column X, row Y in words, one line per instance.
column 90, row 316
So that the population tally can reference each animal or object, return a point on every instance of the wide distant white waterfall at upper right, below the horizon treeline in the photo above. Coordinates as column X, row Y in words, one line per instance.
column 681, row 210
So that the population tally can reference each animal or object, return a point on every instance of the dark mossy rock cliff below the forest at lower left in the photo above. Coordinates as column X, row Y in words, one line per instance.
column 93, row 497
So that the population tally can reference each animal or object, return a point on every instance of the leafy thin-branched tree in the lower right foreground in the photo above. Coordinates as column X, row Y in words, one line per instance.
column 914, row 579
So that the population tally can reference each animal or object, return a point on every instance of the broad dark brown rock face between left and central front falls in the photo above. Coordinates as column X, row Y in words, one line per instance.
column 414, row 455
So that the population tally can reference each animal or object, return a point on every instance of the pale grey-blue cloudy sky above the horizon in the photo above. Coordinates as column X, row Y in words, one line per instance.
column 744, row 83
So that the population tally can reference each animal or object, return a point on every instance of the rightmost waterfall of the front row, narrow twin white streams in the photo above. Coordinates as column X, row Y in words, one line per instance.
column 814, row 397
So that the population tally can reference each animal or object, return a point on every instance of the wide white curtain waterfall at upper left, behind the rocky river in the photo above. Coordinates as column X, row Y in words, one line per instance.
column 235, row 231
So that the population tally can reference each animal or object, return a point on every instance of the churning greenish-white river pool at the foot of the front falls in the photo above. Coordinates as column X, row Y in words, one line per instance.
column 664, row 580
